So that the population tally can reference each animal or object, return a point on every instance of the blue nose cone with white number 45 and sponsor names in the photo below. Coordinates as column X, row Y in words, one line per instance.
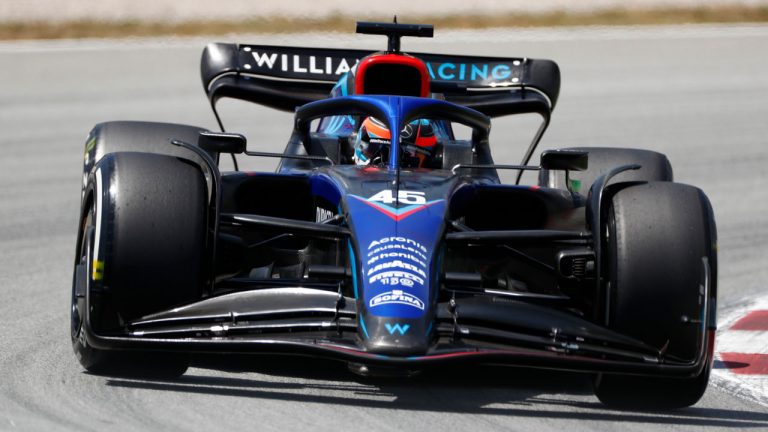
column 395, row 255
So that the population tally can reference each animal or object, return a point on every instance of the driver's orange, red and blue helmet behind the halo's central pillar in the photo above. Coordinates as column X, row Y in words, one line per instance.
column 373, row 140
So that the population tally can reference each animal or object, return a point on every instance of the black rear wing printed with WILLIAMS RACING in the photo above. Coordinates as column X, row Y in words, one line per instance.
column 287, row 77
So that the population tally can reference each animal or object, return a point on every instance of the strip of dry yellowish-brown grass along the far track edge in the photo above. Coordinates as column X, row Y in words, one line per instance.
column 103, row 29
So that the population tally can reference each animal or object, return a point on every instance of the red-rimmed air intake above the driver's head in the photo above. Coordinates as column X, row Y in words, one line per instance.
column 392, row 74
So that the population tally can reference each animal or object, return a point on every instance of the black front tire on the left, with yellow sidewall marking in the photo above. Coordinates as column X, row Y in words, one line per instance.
column 149, row 254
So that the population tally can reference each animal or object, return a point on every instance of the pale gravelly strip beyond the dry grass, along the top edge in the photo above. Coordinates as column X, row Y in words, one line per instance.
column 200, row 10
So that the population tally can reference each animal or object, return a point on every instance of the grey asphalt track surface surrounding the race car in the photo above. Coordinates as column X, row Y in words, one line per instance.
column 698, row 93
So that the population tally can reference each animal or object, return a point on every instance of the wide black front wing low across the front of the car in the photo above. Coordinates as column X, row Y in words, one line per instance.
column 316, row 322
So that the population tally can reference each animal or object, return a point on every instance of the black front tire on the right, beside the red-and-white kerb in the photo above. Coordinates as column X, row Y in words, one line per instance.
column 661, row 241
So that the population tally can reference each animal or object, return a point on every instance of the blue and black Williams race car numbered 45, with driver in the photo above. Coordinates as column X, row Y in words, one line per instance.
column 384, row 241
